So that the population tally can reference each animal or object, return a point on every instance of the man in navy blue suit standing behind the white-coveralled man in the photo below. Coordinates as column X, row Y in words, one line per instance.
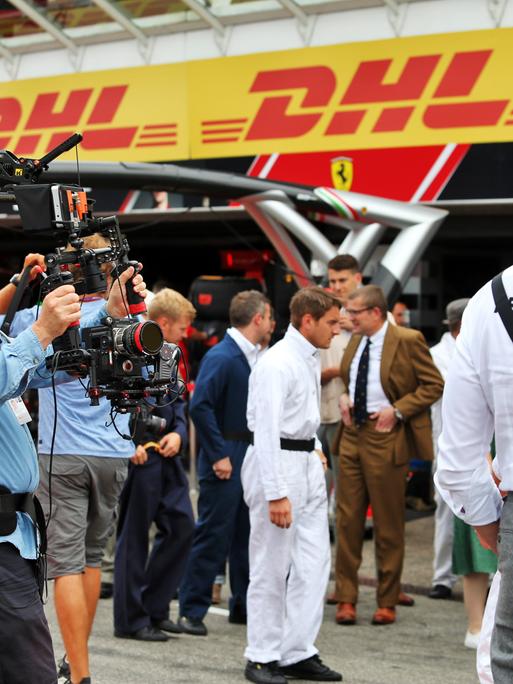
column 218, row 409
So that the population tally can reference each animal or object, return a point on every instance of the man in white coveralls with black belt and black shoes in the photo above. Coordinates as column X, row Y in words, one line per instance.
column 284, row 487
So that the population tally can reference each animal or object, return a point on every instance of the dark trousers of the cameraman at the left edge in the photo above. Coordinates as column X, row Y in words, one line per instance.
column 26, row 652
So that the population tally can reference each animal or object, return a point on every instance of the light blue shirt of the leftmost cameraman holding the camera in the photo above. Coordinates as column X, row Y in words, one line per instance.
column 22, row 366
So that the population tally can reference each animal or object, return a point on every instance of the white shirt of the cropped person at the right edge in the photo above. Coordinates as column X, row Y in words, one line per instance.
column 478, row 401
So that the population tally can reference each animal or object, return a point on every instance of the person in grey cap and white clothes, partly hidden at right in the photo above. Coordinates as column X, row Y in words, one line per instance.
column 442, row 353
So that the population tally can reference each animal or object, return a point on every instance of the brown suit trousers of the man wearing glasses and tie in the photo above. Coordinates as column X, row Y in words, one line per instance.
column 368, row 474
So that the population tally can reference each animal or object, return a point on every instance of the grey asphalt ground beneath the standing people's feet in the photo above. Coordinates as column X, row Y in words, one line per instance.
column 424, row 646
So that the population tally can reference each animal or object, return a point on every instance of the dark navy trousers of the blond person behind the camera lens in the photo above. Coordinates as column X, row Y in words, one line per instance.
column 157, row 491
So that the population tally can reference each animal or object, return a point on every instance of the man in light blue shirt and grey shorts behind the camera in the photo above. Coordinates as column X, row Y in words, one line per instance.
column 86, row 482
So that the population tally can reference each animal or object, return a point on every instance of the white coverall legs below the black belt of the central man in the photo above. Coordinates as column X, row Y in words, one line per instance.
column 289, row 569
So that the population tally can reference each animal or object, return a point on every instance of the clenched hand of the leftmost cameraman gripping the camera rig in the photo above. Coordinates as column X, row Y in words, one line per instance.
column 60, row 309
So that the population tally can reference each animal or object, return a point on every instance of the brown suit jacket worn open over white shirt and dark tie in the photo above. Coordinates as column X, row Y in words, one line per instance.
column 411, row 383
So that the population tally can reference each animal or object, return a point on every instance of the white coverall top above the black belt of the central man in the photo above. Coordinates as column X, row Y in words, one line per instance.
column 283, row 401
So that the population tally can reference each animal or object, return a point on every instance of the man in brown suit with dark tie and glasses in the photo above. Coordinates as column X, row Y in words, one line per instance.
column 391, row 382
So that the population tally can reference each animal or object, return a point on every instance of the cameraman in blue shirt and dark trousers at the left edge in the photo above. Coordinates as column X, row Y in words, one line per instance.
column 22, row 623
